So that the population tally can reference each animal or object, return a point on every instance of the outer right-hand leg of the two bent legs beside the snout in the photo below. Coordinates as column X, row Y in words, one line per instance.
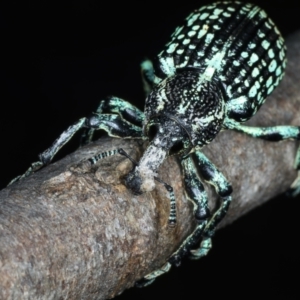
column 223, row 188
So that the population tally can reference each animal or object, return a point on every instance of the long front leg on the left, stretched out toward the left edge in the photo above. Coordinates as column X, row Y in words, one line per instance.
column 114, row 125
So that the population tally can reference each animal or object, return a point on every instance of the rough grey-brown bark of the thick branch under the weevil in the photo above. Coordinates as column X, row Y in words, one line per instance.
column 72, row 231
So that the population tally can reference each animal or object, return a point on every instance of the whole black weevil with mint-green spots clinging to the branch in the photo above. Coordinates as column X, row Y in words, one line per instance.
column 213, row 75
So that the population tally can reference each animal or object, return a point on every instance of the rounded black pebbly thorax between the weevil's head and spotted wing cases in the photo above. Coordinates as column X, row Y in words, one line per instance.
column 196, row 103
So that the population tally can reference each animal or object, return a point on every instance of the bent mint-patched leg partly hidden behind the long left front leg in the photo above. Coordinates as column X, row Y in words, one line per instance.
column 118, row 106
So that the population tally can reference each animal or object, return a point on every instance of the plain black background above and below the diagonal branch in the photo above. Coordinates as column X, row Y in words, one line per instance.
column 59, row 59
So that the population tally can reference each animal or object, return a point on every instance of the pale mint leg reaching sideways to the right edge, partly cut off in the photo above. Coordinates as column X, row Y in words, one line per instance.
column 274, row 134
